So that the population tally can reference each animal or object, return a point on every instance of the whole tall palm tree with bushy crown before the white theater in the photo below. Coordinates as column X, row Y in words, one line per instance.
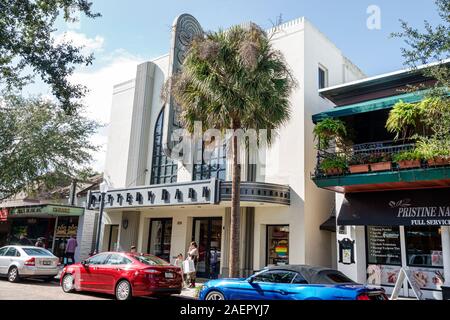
column 234, row 79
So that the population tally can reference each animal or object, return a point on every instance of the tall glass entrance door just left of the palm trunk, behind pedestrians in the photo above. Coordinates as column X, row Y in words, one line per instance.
column 207, row 233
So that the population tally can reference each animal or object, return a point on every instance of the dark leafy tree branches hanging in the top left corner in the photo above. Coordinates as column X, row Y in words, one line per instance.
column 28, row 47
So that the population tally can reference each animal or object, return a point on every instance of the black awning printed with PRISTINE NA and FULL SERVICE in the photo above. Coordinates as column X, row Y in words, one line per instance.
column 429, row 207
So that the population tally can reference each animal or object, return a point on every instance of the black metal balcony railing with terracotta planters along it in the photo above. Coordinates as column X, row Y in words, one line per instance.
column 373, row 152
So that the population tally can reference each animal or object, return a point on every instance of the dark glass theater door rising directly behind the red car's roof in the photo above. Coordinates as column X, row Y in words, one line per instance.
column 159, row 239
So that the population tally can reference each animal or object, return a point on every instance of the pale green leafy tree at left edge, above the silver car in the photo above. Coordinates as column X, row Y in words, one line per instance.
column 40, row 143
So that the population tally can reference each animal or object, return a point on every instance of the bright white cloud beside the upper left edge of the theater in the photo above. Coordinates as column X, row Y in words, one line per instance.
column 117, row 67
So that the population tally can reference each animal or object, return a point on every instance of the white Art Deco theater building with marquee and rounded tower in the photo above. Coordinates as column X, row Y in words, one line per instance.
column 160, row 204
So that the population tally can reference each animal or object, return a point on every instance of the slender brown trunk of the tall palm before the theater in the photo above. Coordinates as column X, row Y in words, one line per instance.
column 235, row 209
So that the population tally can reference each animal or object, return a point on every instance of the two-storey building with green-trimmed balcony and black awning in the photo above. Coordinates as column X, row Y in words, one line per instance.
column 390, row 214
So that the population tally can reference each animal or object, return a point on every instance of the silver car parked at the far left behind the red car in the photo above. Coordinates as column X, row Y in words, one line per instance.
column 27, row 262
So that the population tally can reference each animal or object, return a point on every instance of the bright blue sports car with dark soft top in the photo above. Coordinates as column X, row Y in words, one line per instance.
column 290, row 282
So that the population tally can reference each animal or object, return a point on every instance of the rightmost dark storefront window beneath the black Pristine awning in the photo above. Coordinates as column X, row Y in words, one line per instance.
column 423, row 246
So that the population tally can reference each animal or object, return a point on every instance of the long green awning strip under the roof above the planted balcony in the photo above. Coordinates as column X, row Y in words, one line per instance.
column 368, row 106
